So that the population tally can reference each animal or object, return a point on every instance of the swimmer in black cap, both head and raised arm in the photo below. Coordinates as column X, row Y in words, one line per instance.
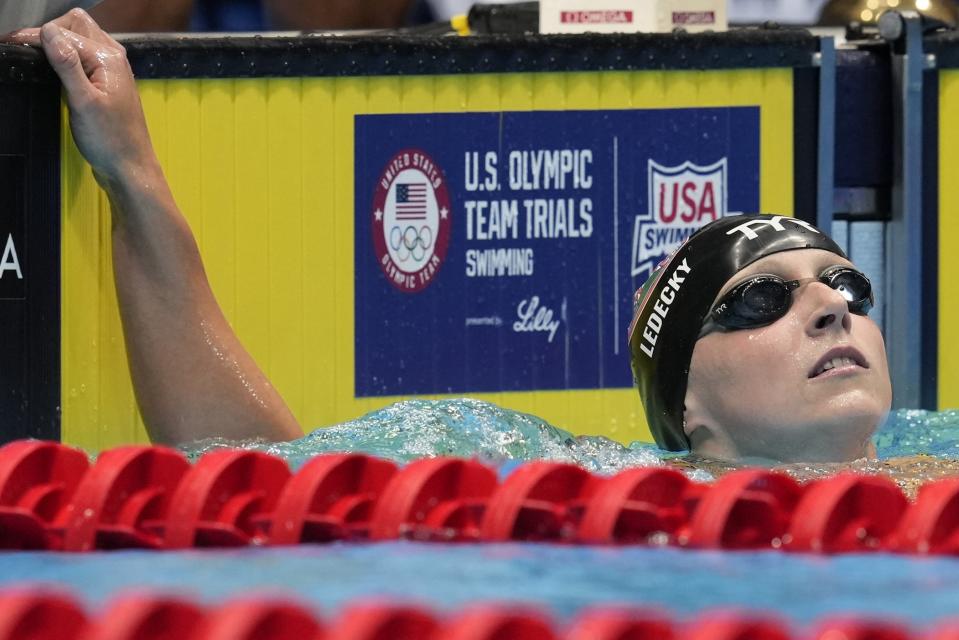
column 750, row 342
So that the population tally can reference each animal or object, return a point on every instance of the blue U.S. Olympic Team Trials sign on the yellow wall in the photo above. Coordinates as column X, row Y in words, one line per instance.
column 500, row 251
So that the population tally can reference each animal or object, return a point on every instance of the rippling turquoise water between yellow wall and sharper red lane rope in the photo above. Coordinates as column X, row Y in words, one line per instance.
column 913, row 446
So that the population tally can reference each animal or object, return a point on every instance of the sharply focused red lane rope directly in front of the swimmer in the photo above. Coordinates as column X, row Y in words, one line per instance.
column 152, row 498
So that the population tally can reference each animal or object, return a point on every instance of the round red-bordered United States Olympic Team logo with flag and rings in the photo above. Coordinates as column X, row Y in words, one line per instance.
column 411, row 220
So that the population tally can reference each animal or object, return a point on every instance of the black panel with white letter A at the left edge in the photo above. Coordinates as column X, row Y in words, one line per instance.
column 29, row 248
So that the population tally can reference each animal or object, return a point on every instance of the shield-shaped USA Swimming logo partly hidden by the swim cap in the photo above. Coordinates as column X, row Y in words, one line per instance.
column 681, row 200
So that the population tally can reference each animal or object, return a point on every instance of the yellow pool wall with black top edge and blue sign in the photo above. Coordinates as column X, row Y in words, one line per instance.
column 279, row 151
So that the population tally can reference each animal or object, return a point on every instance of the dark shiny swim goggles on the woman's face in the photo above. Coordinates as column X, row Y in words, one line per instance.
column 763, row 299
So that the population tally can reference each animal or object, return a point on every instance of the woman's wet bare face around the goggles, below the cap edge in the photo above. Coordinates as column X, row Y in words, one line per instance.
column 763, row 392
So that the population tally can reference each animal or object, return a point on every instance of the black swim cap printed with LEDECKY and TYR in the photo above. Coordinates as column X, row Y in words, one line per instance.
column 669, row 309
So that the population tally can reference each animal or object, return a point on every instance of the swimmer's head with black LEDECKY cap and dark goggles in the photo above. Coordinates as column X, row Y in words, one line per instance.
column 753, row 342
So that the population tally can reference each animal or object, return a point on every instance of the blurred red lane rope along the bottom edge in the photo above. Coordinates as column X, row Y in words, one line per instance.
column 37, row 614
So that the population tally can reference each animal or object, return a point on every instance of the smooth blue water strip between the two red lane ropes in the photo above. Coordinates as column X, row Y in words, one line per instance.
column 561, row 580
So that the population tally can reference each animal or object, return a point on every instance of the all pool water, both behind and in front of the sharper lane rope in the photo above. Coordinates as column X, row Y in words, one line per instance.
column 561, row 579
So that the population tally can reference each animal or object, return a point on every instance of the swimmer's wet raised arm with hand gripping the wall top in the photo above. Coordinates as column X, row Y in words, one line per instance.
column 192, row 377
